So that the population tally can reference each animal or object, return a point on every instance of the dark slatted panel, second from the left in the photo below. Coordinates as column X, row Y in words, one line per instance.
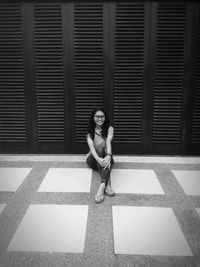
column 49, row 72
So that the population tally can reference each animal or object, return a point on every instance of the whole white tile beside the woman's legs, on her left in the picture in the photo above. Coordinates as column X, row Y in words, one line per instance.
column 67, row 180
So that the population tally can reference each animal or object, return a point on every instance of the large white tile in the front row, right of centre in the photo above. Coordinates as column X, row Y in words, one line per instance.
column 148, row 231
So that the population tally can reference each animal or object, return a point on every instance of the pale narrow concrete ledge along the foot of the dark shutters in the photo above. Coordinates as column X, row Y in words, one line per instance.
column 117, row 158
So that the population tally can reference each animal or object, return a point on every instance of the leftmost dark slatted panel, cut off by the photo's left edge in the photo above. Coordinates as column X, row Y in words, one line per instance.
column 12, row 99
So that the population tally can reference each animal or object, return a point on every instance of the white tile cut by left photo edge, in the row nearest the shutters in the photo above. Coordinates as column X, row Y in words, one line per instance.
column 11, row 178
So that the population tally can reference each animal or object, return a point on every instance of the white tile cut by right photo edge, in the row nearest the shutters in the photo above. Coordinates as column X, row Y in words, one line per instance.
column 189, row 181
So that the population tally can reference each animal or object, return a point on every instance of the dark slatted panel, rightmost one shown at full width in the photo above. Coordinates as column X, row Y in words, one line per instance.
column 169, row 68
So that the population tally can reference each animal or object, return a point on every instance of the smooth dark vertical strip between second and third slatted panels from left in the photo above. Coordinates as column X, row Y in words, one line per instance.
column 67, row 29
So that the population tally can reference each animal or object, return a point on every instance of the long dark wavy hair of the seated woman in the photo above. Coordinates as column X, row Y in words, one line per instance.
column 91, row 126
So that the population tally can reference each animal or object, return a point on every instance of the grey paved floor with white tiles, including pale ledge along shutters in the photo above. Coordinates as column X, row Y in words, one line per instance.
column 48, row 216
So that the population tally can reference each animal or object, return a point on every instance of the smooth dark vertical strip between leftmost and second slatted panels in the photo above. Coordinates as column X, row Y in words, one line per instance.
column 29, row 75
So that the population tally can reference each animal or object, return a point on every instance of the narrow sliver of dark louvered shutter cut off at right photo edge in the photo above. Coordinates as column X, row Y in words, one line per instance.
column 195, row 139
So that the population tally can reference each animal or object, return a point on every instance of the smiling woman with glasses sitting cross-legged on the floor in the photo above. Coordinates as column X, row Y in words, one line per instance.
column 99, row 138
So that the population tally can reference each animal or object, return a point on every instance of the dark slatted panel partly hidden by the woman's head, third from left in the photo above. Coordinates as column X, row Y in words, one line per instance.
column 88, row 63
